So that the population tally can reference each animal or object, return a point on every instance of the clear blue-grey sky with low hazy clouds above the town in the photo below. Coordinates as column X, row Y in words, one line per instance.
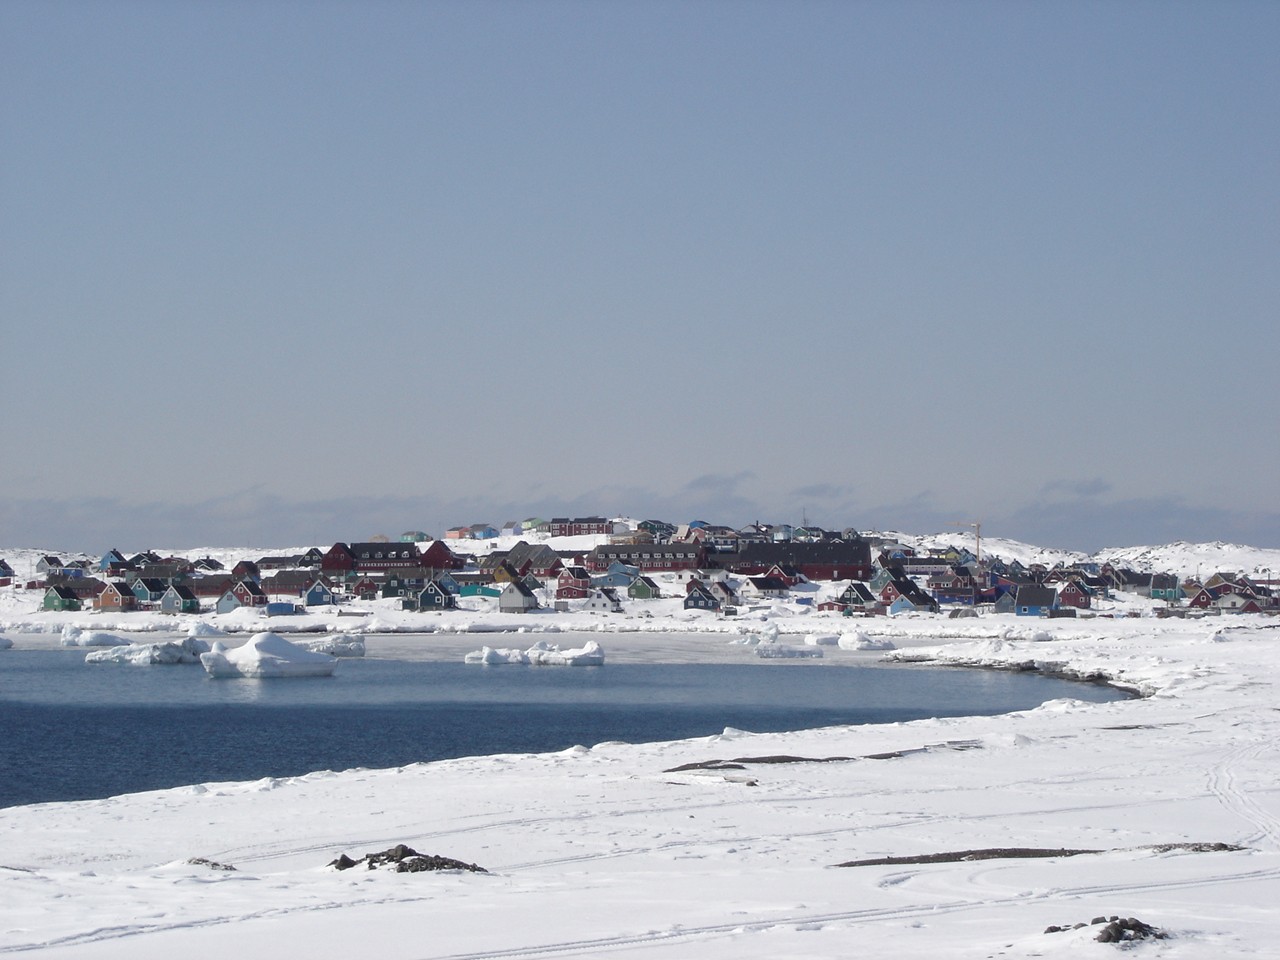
column 291, row 273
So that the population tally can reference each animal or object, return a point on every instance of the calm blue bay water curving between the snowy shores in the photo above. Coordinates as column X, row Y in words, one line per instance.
column 76, row 732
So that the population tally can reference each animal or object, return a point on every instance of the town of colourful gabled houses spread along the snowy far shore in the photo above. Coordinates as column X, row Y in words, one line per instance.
column 717, row 570
